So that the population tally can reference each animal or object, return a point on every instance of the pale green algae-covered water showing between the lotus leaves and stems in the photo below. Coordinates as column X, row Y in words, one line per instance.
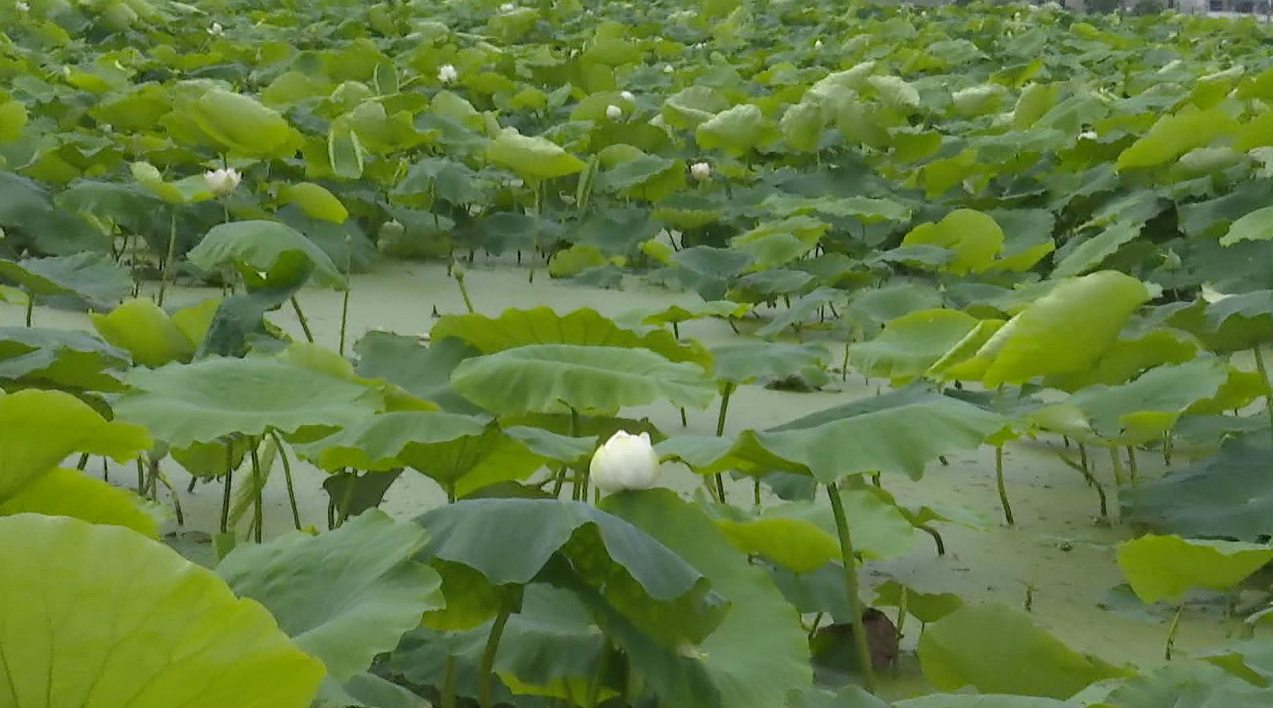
column 1060, row 553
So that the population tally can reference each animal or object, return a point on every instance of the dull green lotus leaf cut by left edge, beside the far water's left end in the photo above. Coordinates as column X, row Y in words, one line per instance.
column 92, row 277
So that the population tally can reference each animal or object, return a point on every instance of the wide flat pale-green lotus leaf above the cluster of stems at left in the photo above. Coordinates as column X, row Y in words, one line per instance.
column 220, row 397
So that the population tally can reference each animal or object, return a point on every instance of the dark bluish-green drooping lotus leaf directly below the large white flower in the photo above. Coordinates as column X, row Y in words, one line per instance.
column 573, row 544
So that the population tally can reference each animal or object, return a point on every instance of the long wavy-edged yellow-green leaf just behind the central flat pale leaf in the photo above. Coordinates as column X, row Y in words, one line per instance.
column 542, row 325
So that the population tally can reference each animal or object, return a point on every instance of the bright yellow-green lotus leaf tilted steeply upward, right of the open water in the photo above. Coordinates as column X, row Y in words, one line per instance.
column 1064, row 332
